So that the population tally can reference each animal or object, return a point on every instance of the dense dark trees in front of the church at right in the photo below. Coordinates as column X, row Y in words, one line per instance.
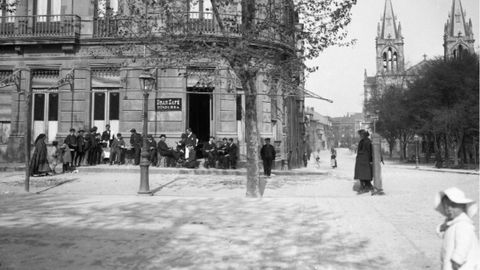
column 440, row 104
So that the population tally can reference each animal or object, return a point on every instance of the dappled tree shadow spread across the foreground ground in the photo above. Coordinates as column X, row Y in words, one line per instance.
column 46, row 232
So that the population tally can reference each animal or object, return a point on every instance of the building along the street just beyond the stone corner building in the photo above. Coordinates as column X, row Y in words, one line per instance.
column 319, row 132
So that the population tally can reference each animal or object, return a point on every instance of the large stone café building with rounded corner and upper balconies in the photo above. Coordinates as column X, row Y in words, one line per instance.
column 46, row 42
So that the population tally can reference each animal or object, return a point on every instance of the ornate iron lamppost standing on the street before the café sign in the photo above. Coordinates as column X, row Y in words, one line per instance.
column 147, row 82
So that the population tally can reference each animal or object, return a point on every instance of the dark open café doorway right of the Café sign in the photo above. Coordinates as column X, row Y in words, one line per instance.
column 199, row 112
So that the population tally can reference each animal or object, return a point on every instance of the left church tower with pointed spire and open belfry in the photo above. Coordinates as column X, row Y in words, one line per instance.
column 389, row 43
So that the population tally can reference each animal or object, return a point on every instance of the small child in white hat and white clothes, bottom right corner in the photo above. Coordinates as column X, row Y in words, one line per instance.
column 460, row 248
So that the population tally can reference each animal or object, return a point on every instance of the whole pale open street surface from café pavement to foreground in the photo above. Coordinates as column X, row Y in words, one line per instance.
column 96, row 221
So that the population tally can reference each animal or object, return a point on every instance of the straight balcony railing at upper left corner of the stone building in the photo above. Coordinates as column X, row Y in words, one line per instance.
column 38, row 27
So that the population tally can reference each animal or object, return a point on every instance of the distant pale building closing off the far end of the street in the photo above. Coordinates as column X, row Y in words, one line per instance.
column 345, row 129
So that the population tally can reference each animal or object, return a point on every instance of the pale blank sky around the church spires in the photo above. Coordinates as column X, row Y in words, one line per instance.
column 340, row 76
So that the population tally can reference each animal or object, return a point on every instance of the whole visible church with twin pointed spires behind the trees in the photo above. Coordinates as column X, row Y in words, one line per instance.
column 390, row 58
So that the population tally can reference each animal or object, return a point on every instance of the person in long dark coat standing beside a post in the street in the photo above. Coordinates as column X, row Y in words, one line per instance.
column 363, row 162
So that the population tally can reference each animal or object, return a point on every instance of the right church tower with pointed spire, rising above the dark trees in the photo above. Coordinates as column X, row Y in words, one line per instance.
column 458, row 37
